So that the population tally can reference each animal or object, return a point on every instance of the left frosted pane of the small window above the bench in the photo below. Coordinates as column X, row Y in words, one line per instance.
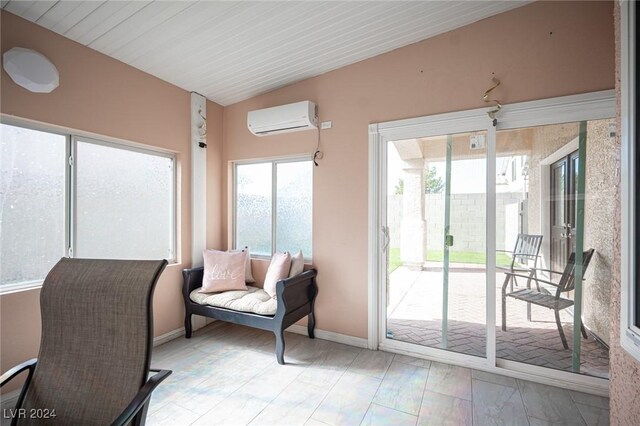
column 254, row 207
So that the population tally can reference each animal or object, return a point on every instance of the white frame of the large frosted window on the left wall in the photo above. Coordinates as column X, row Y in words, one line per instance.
column 71, row 139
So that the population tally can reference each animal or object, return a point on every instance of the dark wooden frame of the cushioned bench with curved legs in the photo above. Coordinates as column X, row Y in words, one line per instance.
column 295, row 297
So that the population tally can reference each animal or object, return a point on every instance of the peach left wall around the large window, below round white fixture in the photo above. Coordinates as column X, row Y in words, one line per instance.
column 101, row 95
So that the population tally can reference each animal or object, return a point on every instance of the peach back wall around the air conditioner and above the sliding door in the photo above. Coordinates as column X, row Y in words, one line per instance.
column 541, row 50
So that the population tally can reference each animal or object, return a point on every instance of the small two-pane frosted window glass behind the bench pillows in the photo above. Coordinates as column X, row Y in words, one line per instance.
column 273, row 206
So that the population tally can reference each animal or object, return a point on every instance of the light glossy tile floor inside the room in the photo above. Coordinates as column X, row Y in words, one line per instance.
column 228, row 375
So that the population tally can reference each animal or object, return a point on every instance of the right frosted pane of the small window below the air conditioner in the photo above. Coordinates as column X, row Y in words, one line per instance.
column 293, row 207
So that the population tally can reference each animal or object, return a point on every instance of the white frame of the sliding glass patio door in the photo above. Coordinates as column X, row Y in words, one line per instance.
column 574, row 108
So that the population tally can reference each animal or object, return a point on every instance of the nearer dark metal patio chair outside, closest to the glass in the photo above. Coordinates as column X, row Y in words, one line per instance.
column 543, row 298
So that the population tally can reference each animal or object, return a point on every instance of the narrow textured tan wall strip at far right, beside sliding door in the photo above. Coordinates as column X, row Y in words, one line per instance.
column 624, row 385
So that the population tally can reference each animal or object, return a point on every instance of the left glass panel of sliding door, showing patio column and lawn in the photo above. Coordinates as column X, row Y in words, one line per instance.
column 436, row 197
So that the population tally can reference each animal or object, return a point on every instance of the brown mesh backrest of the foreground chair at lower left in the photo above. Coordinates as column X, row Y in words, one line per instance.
column 97, row 336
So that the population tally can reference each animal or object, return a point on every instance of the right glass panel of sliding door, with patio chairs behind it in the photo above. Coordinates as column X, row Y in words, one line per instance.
column 559, row 180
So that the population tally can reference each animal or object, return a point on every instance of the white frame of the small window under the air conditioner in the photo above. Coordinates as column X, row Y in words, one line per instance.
column 274, row 200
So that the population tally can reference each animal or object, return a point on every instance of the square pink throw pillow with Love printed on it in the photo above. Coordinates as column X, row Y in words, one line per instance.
column 223, row 271
